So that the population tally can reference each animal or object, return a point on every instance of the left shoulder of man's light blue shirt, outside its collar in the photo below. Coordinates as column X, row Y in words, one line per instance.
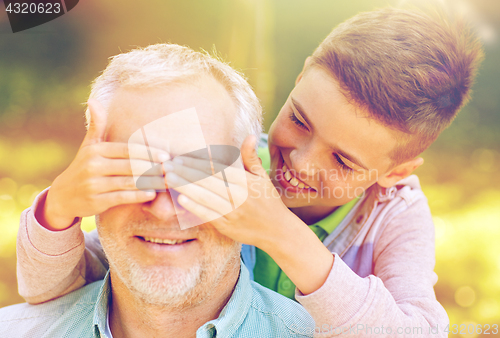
column 26, row 320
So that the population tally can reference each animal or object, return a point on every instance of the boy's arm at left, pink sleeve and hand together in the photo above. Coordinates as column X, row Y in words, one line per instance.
column 53, row 257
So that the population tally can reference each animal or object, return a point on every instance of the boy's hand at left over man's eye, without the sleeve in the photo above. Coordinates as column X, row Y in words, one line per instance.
column 100, row 177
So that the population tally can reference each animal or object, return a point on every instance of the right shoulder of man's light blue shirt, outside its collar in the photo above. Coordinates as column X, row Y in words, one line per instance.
column 274, row 315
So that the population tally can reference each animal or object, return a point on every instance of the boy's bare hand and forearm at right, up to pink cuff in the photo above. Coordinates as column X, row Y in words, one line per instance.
column 262, row 220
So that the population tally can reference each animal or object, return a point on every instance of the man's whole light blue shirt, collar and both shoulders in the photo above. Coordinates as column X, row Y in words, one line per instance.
column 252, row 311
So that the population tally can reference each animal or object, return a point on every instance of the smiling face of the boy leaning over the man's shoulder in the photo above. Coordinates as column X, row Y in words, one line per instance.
column 325, row 150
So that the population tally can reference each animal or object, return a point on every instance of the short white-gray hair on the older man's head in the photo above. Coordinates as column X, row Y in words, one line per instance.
column 162, row 64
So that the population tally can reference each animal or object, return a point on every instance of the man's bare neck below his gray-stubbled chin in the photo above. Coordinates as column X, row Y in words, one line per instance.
column 131, row 317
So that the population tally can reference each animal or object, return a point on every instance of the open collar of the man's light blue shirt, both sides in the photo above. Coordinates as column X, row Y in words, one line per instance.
column 228, row 322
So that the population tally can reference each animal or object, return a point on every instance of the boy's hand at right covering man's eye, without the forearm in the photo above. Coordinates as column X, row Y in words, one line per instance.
column 259, row 221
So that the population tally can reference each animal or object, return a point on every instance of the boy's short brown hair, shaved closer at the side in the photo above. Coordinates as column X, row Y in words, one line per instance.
column 412, row 71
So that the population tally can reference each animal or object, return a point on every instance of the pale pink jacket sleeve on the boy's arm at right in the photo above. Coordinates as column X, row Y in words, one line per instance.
column 398, row 300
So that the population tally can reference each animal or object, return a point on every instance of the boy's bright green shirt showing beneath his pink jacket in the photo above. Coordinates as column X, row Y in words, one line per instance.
column 266, row 271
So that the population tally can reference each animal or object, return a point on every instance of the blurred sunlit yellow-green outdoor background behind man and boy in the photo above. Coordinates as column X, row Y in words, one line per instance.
column 45, row 74
